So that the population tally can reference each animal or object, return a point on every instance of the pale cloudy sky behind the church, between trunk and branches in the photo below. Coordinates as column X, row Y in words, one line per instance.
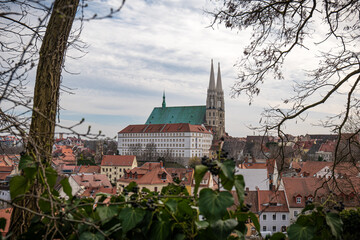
column 156, row 46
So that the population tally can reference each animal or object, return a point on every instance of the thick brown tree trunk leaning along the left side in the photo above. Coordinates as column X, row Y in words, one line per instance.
column 46, row 97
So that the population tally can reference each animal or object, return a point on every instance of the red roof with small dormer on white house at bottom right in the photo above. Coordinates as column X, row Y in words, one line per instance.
column 270, row 201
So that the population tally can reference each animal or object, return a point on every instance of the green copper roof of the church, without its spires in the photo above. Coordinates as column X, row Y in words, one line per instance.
column 190, row 114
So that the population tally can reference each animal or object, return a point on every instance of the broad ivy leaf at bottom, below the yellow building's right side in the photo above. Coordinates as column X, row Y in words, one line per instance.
column 131, row 217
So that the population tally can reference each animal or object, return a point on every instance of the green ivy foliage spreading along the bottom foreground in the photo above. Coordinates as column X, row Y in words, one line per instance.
column 171, row 214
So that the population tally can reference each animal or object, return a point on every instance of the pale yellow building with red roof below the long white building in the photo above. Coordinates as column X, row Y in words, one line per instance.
column 114, row 166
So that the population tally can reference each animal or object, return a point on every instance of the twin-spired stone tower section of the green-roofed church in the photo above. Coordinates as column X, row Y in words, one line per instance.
column 215, row 105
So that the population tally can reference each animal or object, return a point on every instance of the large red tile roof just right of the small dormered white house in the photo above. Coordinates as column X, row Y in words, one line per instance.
column 304, row 187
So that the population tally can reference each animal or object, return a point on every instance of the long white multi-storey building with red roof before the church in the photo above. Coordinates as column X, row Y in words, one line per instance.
column 181, row 141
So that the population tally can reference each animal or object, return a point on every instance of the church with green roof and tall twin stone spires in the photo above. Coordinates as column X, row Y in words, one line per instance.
column 211, row 115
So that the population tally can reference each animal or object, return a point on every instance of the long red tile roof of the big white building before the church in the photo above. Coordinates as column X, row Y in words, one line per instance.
column 163, row 128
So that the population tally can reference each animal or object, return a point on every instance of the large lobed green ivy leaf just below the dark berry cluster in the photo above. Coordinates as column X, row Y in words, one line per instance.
column 213, row 205
